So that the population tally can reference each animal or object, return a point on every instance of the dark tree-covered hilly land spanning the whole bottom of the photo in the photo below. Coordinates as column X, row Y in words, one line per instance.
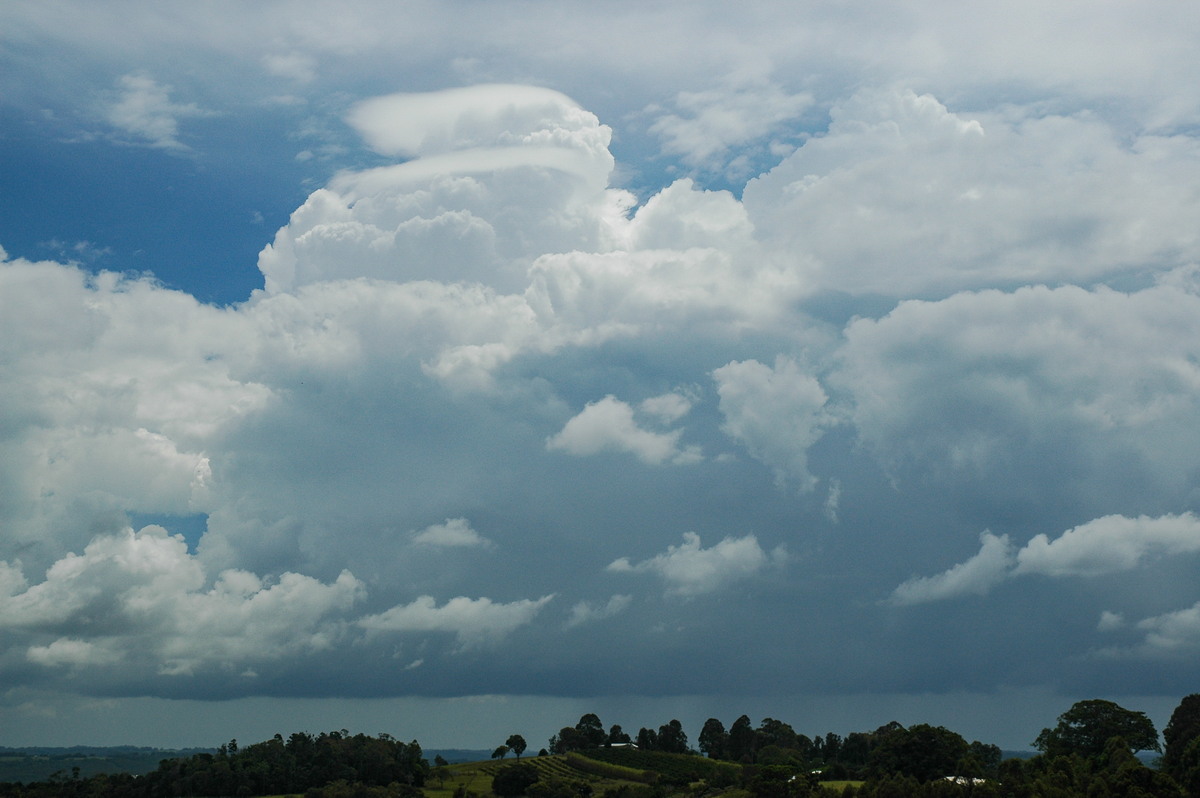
column 1090, row 753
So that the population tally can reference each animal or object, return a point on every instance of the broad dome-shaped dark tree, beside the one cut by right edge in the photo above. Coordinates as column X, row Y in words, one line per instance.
column 1089, row 725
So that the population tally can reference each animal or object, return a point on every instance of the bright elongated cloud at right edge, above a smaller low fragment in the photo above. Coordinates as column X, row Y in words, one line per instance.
column 1109, row 545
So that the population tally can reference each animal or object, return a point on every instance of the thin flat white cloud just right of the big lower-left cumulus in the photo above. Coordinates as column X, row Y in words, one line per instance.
column 475, row 622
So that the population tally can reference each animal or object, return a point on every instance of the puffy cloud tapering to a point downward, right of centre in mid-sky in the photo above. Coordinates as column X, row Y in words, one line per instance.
column 777, row 413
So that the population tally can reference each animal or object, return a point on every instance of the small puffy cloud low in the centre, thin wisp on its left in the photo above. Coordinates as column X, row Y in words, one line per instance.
column 689, row 569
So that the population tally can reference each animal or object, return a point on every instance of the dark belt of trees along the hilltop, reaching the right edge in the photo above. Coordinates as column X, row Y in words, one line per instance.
column 1090, row 752
